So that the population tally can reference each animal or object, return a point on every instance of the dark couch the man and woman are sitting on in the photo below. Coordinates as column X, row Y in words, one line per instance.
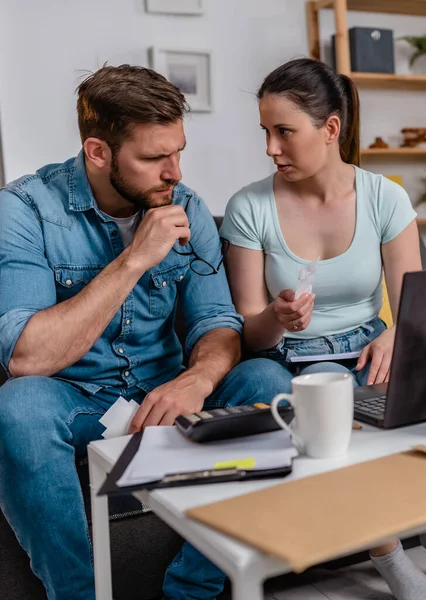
column 142, row 545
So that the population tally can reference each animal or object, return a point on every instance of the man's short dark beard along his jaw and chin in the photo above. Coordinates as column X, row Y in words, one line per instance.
column 144, row 200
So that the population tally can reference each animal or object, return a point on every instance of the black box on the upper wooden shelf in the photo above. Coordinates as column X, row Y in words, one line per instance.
column 371, row 50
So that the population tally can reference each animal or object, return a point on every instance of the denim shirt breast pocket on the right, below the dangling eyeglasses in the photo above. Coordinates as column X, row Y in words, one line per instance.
column 163, row 288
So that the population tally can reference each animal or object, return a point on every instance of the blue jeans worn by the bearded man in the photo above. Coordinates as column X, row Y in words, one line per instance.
column 44, row 424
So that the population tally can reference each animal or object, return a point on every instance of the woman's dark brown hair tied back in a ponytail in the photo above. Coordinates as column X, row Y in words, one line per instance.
column 320, row 92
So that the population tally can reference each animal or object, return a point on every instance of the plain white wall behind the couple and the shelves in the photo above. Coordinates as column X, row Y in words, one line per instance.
column 46, row 45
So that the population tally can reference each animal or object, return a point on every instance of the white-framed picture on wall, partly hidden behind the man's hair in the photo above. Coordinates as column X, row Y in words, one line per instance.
column 190, row 71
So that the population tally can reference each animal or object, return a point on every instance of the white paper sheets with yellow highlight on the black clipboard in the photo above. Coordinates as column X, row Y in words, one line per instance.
column 164, row 451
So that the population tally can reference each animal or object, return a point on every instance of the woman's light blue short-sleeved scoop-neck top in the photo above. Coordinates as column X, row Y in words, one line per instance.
column 348, row 287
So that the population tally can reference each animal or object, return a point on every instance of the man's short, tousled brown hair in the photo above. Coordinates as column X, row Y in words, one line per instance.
column 114, row 99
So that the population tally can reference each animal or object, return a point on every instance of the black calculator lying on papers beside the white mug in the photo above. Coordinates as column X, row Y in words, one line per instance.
column 231, row 422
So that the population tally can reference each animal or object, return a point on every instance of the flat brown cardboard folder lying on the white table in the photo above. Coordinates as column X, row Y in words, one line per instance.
column 311, row 520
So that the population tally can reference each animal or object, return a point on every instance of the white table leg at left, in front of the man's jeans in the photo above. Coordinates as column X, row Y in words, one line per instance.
column 100, row 531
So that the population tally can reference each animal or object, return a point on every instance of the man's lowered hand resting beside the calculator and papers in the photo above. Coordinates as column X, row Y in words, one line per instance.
column 183, row 395
